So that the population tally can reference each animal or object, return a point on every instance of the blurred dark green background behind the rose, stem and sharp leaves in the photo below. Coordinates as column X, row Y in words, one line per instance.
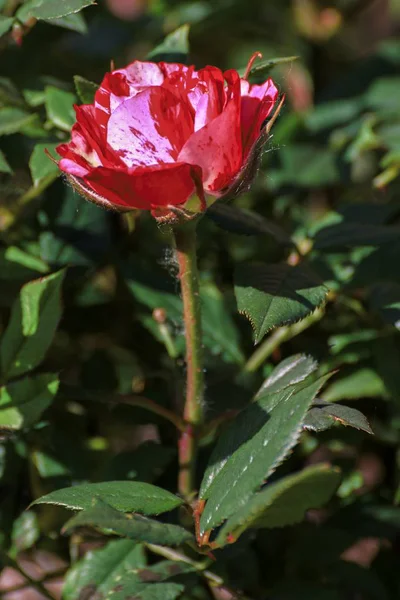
column 329, row 179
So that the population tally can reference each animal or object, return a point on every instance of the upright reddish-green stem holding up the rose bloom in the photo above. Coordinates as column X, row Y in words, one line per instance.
column 185, row 247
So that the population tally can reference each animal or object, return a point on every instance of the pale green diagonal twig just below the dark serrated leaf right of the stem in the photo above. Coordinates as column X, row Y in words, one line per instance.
column 283, row 334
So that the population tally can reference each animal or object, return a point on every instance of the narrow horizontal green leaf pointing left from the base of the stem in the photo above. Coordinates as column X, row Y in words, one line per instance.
column 128, row 496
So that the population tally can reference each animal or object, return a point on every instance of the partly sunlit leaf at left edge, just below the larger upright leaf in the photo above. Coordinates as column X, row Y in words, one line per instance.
column 23, row 401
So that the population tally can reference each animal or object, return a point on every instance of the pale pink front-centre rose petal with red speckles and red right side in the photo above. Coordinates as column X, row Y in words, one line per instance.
column 149, row 128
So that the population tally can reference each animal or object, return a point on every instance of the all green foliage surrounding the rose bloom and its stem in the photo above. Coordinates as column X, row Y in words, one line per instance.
column 298, row 481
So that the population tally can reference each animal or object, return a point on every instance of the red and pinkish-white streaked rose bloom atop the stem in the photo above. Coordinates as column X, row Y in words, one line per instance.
column 167, row 138
